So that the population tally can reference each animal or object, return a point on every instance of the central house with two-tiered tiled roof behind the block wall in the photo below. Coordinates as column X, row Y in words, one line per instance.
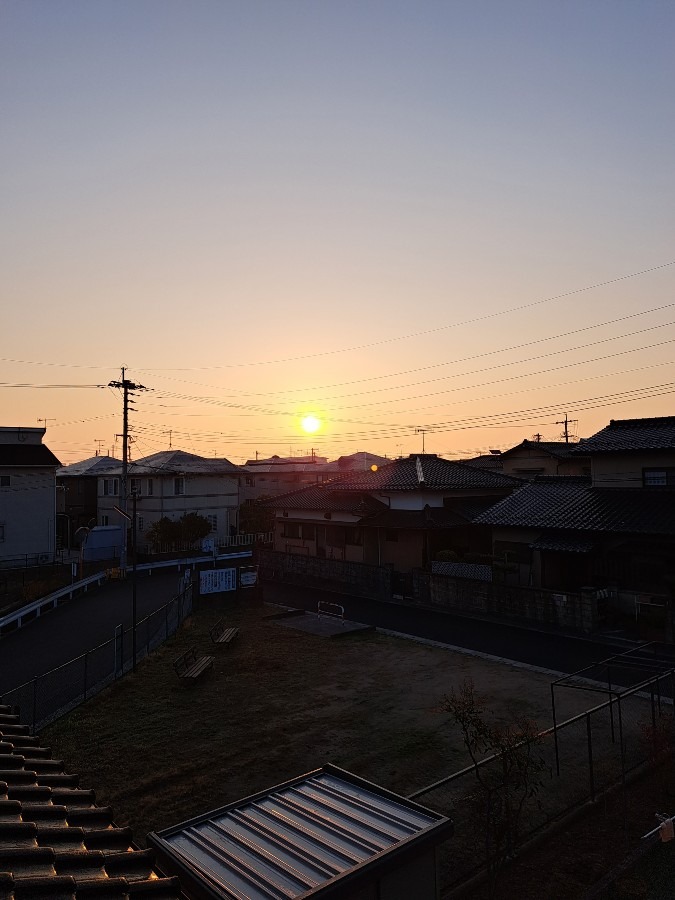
column 401, row 513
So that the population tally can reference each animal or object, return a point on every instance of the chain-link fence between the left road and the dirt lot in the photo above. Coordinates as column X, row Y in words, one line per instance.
column 49, row 696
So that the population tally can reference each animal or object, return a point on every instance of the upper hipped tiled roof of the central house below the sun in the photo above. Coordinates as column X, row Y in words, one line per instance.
column 428, row 471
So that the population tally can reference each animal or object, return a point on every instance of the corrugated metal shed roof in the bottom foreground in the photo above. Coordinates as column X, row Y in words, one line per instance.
column 298, row 839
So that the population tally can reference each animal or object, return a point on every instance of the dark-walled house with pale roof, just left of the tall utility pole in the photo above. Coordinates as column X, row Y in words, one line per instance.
column 76, row 495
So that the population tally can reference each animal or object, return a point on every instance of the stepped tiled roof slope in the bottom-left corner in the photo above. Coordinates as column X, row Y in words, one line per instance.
column 55, row 843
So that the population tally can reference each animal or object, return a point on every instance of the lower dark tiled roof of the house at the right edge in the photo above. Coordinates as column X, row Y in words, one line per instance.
column 572, row 504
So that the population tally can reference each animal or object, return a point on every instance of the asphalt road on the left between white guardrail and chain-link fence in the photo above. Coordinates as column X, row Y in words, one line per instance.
column 79, row 625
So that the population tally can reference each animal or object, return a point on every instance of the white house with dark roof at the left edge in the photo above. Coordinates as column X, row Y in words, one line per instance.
column 27, row 497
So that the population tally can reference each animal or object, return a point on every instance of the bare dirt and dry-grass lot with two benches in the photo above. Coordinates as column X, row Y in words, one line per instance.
column 277, row 704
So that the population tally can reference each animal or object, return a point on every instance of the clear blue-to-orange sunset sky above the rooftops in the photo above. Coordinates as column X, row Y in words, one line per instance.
column 440, row 225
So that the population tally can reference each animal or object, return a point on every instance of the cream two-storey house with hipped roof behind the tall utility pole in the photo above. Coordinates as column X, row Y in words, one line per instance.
column 170, row 484
